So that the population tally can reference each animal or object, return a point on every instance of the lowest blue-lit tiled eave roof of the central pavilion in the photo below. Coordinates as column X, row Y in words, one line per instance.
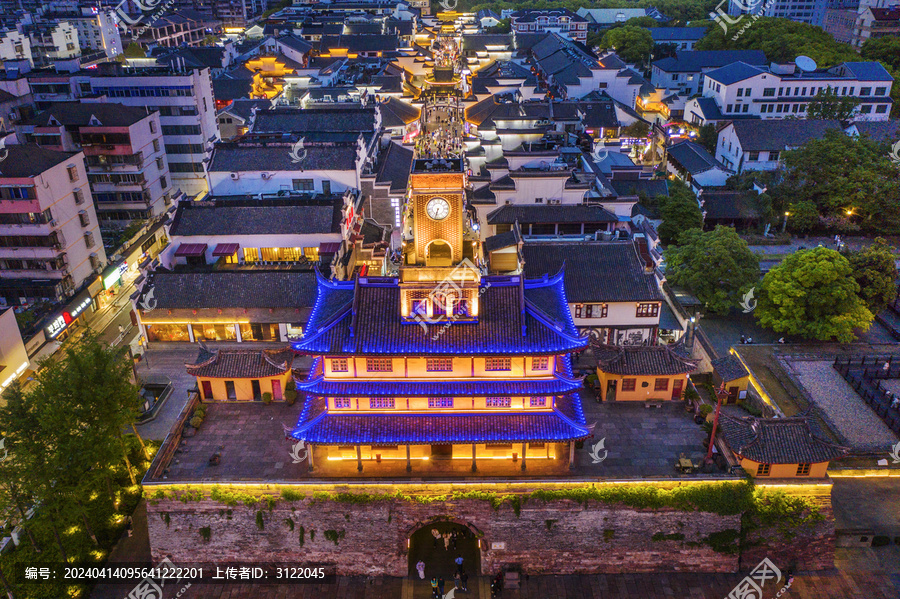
column 317, row 425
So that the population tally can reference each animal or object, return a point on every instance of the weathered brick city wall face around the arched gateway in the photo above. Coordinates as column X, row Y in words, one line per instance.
column 580, row 539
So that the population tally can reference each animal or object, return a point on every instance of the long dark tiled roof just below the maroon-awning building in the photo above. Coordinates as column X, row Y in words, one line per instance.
column 231, row 289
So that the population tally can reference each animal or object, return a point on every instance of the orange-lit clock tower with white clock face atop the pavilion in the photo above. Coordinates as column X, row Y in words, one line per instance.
column 441, row 260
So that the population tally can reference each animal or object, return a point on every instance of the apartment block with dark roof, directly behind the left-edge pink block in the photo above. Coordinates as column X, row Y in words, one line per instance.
column 124, row 155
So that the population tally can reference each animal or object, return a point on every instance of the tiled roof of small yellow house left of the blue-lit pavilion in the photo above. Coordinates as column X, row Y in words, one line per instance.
column 236, row 363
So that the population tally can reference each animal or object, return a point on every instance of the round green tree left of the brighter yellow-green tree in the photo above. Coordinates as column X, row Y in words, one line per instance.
column 717, row 266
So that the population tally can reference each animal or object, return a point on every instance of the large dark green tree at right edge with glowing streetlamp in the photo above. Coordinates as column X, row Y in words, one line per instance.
column 839, row 173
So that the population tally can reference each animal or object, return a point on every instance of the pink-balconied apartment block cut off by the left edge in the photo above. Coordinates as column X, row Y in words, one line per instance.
column 49, row 232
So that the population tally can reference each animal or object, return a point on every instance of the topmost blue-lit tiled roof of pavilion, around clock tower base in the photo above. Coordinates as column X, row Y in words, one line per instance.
column 506, row 325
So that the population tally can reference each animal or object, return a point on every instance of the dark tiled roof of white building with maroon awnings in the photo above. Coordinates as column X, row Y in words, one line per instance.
column 258, row 217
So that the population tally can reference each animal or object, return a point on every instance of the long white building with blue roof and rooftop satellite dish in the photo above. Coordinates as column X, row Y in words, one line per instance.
column 782, row 91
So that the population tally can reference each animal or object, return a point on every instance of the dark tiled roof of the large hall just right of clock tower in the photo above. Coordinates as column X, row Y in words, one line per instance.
column 595, row 272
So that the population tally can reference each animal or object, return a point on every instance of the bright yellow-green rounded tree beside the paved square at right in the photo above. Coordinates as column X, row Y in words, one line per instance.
column 812, row 294
